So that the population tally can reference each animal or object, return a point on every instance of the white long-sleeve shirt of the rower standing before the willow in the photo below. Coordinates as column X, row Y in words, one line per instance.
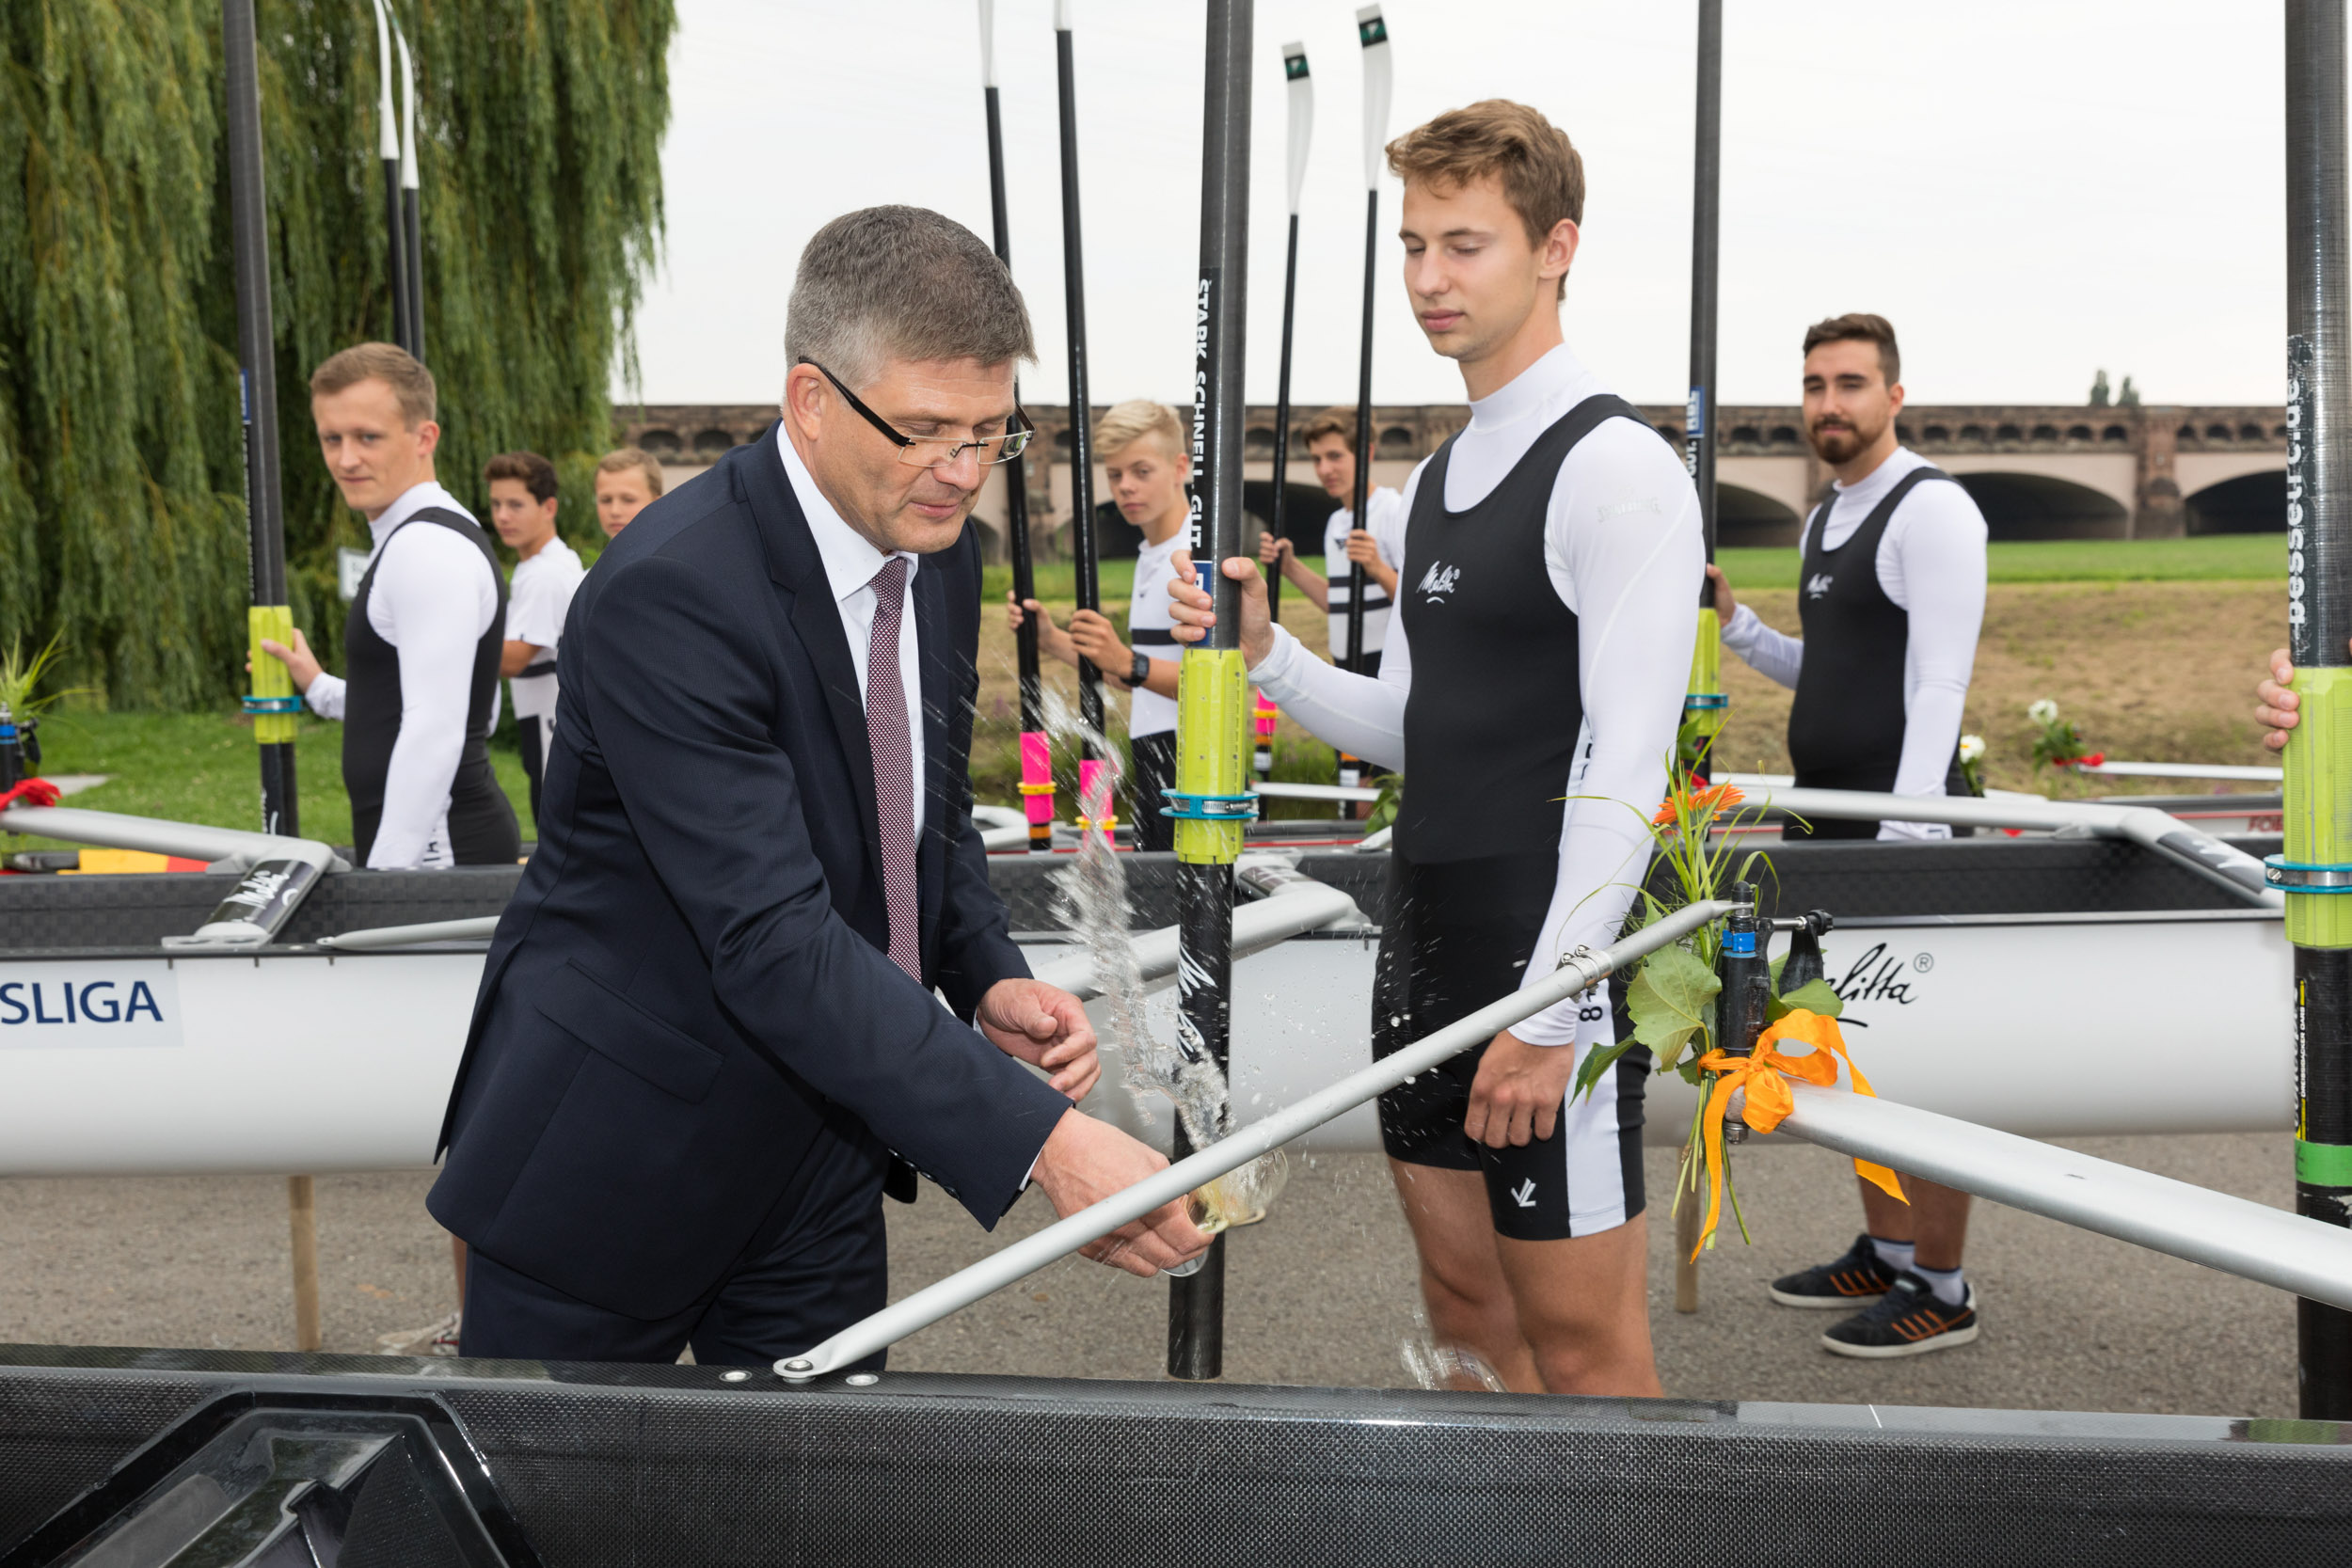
column 434, row 601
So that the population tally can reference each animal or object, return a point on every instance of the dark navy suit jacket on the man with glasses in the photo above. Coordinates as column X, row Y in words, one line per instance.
column 690, row 991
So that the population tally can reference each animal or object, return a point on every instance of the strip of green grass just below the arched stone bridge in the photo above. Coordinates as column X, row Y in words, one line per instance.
column 2231, row 558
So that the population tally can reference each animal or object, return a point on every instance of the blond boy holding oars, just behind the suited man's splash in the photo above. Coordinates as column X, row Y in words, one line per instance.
column 1147, row 464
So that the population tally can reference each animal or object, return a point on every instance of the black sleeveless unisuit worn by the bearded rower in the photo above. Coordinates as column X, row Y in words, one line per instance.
column 1845, row 730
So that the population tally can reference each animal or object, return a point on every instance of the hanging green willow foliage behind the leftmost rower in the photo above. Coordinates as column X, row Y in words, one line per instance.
column 121, row 448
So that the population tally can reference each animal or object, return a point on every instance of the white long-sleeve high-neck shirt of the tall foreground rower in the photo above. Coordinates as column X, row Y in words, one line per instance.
column 1624, row 551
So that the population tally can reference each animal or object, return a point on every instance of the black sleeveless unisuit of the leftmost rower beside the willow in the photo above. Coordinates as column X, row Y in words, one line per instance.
column 481, row 819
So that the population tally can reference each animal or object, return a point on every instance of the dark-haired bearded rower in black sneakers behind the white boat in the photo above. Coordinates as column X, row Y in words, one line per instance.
column 1892, row 598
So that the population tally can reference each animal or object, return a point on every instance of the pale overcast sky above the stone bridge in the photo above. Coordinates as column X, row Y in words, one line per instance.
column 2029, row 189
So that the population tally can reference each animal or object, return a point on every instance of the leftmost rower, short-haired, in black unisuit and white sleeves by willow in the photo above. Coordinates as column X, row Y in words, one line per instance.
column 425, row 634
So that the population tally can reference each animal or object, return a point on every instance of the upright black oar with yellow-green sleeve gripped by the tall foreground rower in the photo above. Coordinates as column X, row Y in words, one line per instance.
column 1212, row 688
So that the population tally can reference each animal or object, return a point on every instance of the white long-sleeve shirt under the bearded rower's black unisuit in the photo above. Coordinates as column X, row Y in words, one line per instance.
column 1932, row 565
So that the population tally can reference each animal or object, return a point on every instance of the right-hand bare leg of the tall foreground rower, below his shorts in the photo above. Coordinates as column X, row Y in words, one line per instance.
column 1584, row 1308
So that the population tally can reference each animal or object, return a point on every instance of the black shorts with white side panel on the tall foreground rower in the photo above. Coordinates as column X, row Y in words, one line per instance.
column 1459, row 937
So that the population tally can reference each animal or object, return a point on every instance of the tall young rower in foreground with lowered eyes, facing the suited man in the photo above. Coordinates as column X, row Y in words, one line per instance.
column 1530, row 692
